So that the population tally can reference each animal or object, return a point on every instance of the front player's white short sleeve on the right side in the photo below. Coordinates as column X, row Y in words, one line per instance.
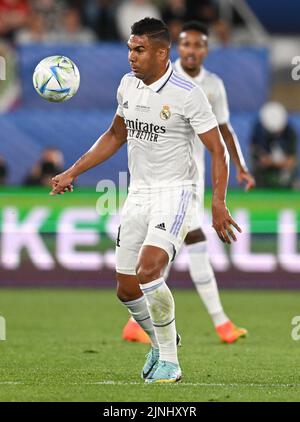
column 198, row 111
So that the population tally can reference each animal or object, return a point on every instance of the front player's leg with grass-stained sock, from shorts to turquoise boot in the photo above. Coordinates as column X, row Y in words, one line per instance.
column 169, row 223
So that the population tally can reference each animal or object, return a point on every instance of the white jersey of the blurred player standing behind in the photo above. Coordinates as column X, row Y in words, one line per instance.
column 214, row 89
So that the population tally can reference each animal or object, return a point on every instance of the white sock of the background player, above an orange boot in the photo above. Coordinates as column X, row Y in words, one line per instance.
column 203, row 277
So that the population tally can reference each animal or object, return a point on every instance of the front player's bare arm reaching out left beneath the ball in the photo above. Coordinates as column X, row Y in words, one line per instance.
column 106, row 146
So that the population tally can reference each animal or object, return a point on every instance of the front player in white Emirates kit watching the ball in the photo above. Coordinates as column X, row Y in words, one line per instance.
column 158, row 113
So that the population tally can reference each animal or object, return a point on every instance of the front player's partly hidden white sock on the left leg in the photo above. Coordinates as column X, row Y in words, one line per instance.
column 139, row 311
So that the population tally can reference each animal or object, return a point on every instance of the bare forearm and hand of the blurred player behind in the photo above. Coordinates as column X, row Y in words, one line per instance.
column 235, row 152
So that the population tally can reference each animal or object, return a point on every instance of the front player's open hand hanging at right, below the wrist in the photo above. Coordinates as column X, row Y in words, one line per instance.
column 223, row 222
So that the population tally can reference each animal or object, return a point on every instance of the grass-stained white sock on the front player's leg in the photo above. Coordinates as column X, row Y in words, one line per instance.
column 161, row 308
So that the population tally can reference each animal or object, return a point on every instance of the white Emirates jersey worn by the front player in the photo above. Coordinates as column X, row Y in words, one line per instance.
column 161, row 121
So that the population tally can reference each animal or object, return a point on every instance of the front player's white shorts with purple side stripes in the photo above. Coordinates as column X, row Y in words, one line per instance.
column 160, row 219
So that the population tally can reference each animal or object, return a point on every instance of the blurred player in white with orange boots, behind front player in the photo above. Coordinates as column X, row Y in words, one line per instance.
column 192, row 49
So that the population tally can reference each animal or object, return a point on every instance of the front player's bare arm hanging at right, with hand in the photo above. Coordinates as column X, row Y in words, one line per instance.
column 222, row 220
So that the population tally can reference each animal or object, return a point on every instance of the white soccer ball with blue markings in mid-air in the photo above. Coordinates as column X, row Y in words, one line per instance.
column 56, row 78
